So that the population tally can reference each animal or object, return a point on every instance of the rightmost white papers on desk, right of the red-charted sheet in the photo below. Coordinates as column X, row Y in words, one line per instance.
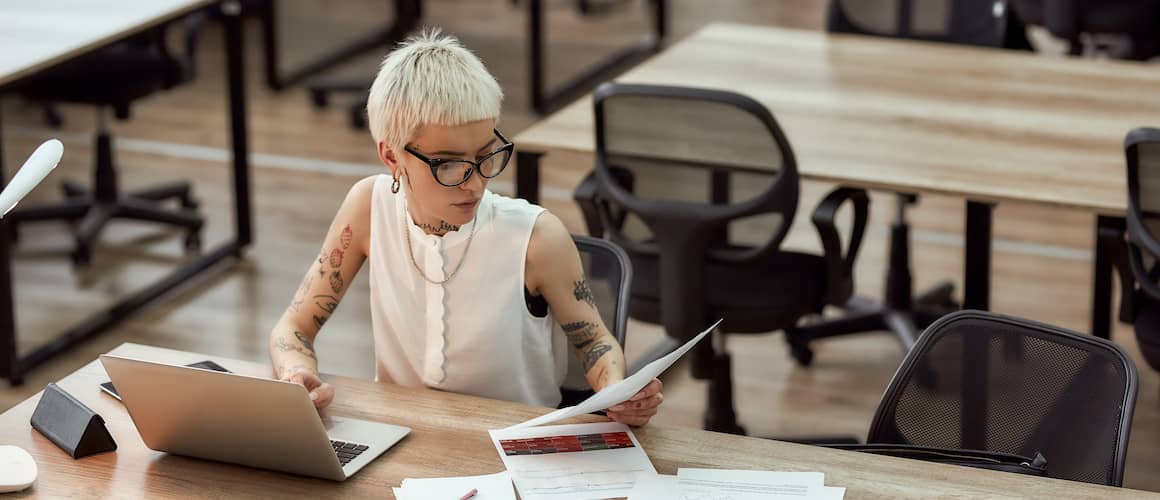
column 698, row 484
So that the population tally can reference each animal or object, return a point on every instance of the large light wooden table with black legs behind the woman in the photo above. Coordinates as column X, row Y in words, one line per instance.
column 987, row 126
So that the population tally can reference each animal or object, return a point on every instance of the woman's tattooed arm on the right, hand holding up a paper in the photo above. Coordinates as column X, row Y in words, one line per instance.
column 554, row 270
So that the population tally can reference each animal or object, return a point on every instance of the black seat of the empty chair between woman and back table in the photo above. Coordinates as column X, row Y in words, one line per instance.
column 760, row 307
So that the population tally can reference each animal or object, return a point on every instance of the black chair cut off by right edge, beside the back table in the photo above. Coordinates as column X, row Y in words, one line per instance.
column 1142, row 295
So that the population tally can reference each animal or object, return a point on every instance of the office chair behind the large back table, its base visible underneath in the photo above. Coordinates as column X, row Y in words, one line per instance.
column 969, row 23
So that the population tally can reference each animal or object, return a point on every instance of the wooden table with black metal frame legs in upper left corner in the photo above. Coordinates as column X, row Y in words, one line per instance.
column 38, row 35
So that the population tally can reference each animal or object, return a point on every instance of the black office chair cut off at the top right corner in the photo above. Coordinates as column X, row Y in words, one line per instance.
column 1137, row 20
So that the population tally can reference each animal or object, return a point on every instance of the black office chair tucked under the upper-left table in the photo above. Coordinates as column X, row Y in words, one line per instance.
column 114, row 78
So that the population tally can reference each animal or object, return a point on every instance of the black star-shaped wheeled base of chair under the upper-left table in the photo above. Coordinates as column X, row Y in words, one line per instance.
column 92, row 214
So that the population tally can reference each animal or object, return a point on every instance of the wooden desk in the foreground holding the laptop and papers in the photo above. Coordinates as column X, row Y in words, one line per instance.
column 451, row 438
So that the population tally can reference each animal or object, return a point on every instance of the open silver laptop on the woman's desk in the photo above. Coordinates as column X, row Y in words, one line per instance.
column 244, row 421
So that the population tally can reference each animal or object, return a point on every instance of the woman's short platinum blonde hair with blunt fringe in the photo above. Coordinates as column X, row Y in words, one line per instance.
column 430, row 79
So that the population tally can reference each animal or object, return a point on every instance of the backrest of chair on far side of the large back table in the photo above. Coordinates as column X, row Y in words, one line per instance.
column 969, row 23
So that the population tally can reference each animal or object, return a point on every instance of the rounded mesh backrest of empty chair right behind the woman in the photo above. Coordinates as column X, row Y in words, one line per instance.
column 700, row 175
